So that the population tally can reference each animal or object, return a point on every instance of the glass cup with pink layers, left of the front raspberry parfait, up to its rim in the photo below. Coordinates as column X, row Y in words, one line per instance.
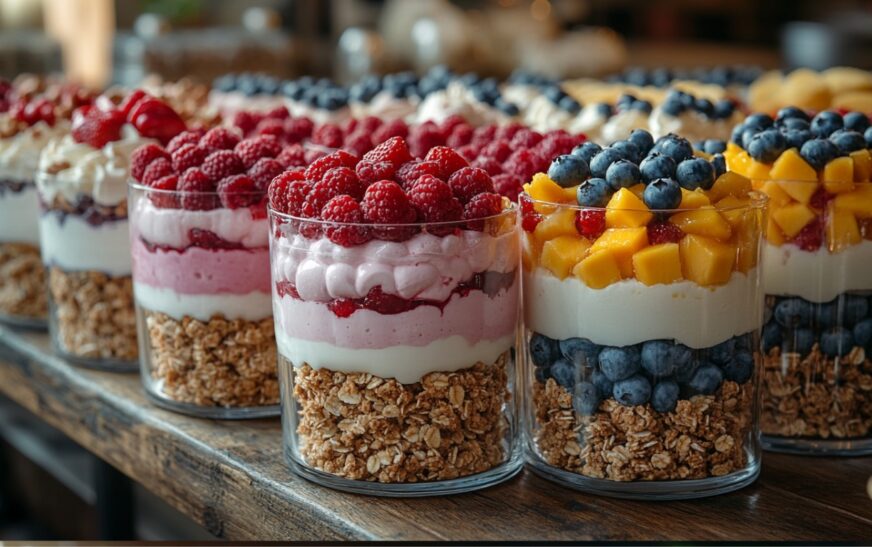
column 201, row 281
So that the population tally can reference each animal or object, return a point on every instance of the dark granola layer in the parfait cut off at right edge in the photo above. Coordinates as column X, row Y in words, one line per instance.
column 817, row 396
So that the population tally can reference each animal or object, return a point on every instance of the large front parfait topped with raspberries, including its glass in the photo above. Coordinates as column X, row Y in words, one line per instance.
column 396, row 306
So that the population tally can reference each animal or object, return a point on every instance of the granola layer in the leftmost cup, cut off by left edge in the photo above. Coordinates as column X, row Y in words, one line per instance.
column 22, row 281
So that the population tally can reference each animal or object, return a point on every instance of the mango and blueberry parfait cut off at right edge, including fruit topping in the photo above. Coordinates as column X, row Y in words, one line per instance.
column 817, row 384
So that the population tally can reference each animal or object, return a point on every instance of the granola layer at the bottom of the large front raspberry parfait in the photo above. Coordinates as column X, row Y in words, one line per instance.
column 363, row 427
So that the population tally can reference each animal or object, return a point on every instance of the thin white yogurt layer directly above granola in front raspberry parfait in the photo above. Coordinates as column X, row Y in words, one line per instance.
column 408, row 364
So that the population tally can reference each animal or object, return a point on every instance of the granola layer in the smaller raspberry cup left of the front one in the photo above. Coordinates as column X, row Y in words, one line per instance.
column 221, row 362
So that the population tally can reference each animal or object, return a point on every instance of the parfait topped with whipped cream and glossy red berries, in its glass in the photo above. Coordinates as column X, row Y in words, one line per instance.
column 82, row 184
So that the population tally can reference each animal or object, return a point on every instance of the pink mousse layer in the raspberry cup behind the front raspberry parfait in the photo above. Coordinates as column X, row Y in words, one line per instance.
column 201, row 271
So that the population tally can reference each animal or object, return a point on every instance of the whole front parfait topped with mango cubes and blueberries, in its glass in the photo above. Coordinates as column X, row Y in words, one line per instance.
column 642, row 312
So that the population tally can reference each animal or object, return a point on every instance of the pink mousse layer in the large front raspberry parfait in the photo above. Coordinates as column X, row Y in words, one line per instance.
column 476, row 317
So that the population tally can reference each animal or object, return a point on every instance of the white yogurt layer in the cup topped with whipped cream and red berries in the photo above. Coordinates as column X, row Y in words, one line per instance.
column 75, row 245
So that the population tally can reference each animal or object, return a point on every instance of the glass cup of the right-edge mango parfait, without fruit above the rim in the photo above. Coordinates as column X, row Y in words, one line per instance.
column 817, row 341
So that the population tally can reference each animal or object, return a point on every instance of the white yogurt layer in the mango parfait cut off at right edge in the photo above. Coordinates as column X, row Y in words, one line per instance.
column 819, row 276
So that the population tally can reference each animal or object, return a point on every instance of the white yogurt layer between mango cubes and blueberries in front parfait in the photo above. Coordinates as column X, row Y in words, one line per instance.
column 629, row 312
